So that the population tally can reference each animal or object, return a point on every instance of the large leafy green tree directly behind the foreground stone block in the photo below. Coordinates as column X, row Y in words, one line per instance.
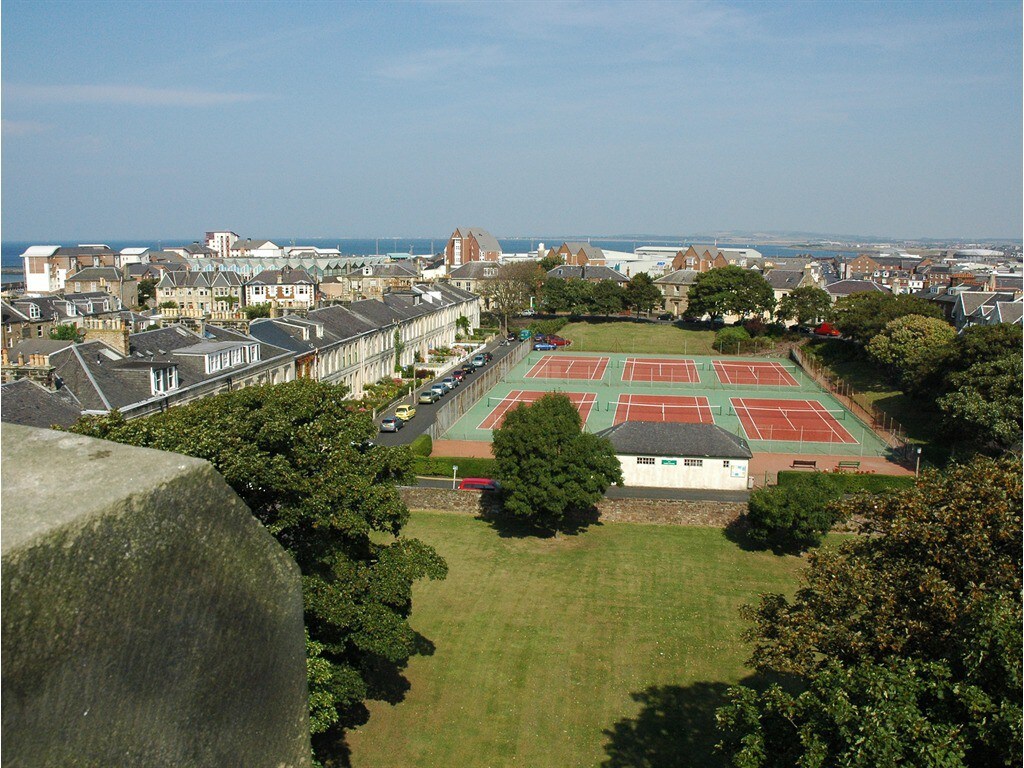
column 298, row 456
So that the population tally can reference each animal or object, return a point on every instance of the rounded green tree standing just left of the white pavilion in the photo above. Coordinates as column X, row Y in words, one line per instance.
column 550, row 470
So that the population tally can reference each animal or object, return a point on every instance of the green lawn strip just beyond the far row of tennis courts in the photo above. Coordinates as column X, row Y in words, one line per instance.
column 650, row 338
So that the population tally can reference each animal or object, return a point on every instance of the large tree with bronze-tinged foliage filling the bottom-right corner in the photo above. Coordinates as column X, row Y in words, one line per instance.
column 905, row 645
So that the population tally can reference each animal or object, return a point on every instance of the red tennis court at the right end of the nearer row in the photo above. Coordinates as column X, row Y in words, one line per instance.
column 806, row 421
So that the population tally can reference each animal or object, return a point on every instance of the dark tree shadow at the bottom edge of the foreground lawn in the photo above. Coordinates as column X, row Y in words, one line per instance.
column 676, row 727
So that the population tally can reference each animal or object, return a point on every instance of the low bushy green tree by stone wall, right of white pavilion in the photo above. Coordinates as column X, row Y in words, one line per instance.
column 794, row 518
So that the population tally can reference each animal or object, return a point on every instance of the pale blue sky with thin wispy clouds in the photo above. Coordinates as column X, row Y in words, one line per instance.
column 126, row 120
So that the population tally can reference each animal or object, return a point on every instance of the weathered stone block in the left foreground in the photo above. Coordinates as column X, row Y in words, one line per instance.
column 148, row 618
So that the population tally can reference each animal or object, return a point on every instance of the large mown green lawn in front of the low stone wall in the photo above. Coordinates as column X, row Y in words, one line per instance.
column 606, row 647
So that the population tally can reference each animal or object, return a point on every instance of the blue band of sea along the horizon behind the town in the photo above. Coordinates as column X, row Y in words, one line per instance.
column 13, row 250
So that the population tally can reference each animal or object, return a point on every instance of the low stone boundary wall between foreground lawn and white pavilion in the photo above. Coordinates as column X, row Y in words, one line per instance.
column 652, row 511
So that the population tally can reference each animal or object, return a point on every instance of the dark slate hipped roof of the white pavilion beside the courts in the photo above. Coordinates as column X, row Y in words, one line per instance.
column 670, row 439
